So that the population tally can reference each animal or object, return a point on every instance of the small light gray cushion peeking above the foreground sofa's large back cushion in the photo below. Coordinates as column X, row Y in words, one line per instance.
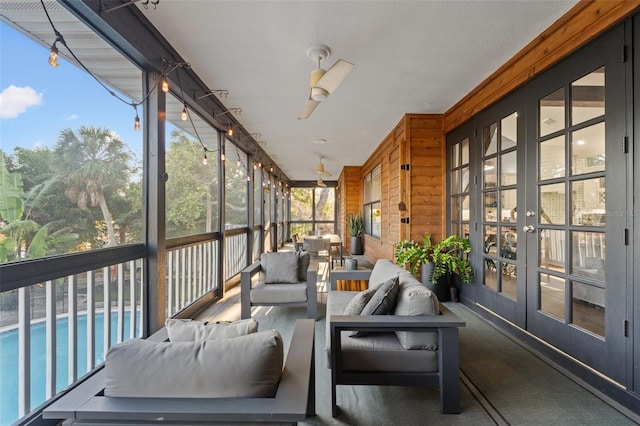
column 185, row 330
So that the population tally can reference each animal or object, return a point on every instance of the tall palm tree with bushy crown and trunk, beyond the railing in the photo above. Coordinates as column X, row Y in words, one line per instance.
column 93, row 162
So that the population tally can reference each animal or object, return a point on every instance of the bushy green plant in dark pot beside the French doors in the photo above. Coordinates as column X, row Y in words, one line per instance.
column 439, row 262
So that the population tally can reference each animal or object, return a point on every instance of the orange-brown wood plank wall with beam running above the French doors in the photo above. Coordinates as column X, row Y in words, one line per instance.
column 419, row 139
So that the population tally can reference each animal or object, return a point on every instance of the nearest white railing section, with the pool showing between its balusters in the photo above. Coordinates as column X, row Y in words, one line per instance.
column 60, row 329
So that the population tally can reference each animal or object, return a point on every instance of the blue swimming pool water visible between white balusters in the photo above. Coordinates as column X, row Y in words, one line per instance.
column 9, row 359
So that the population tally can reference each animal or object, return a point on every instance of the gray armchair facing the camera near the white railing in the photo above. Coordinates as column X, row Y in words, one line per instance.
column 278, row 279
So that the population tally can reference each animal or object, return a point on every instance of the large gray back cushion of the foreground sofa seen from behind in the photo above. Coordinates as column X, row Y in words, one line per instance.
column 245, row 366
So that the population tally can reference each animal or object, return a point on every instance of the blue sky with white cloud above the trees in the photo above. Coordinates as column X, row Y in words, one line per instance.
column 37, row 101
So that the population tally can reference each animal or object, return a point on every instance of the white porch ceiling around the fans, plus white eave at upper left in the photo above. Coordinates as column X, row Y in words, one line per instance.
column 419, row 56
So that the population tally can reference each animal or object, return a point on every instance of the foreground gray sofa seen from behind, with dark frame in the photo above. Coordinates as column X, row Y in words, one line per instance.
column 191, row 383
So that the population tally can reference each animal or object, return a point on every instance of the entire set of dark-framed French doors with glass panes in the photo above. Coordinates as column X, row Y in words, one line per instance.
column 547, row 202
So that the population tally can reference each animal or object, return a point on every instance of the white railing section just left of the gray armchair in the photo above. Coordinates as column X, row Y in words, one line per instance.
column 192, row 271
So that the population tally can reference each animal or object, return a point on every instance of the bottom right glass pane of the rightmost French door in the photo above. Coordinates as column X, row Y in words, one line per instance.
column 588, row 307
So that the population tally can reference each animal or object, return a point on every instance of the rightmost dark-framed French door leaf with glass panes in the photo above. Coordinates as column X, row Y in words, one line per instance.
column 575, row 225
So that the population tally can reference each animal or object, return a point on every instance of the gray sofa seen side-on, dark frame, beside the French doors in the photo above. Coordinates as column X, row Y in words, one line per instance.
column 415, row 345
